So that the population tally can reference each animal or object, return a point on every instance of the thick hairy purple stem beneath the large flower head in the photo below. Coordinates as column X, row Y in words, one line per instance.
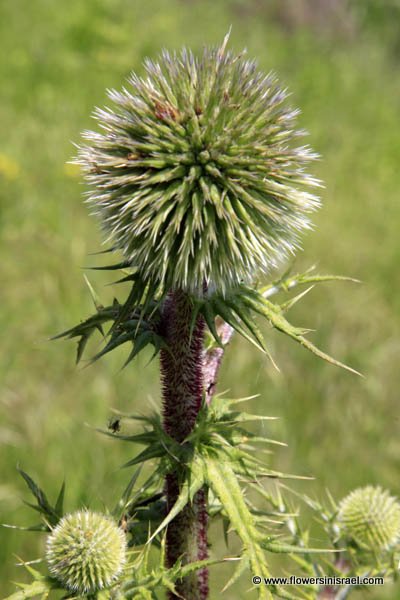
column 182, row 382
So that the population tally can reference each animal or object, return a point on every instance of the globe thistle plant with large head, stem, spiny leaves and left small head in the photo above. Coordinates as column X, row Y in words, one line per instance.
column 198, row 178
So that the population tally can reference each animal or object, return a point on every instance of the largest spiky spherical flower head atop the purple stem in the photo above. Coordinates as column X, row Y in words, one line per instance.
column 197, row 176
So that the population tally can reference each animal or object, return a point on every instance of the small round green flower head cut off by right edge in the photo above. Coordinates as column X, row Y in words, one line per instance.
column 371, row 518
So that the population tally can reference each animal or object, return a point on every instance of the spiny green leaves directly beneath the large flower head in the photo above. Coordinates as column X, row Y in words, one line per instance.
column 136, row 320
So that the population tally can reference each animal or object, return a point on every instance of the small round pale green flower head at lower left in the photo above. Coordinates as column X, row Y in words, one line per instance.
column 86, row 552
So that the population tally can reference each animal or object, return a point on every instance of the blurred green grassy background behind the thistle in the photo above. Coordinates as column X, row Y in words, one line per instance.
column 340, row 58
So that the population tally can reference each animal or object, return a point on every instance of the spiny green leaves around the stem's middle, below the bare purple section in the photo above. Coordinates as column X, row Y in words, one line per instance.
column 218, row 454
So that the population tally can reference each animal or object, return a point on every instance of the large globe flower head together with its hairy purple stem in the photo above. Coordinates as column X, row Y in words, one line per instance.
column 197, row 180
